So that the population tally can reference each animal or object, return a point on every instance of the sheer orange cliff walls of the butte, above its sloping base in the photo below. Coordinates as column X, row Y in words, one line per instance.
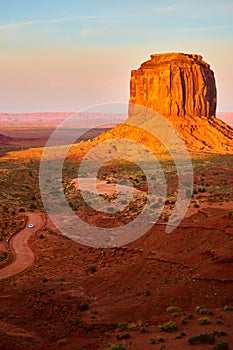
column 175, row 84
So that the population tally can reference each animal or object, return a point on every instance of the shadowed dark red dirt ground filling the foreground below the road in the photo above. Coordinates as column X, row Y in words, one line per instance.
column 85, row 298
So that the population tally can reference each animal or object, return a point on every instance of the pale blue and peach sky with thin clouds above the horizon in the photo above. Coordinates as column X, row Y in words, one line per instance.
column 68, row 55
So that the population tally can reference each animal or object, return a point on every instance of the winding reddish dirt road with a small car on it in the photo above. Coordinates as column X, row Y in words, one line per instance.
column 24, row 257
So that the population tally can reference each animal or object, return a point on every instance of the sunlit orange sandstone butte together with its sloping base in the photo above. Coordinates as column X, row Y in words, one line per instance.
column 181, row 87
